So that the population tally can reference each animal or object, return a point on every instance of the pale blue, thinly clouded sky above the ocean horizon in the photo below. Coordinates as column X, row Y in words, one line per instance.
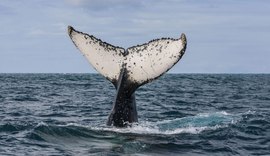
column 223, row 36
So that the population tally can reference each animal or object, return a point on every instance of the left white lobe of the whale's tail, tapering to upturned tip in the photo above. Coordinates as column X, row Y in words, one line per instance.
column 105, row 58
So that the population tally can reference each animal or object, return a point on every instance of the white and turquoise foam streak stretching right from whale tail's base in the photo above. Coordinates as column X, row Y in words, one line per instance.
column 192, row 124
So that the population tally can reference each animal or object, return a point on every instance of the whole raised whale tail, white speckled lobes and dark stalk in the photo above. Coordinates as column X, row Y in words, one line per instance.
column 128, row 69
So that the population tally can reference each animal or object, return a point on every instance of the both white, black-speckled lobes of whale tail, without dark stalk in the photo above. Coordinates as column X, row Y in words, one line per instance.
column 143, row 62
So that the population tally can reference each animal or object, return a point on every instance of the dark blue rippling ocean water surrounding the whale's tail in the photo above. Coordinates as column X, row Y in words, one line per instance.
column 179, row 114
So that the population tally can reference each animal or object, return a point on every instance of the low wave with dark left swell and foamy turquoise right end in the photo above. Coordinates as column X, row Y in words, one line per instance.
column 191, row 124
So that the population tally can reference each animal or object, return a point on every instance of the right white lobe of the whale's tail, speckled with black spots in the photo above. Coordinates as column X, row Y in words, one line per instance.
column 149, row 61
